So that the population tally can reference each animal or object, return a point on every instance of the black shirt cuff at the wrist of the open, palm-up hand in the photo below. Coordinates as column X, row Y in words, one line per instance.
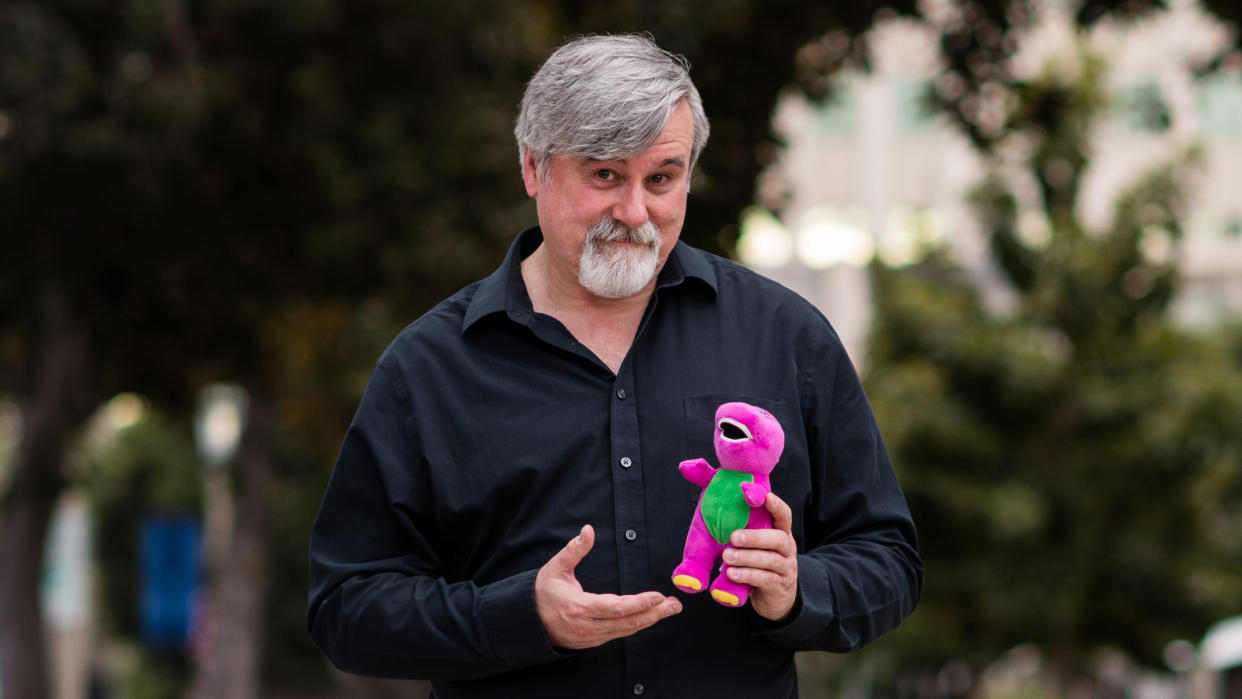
column 512, row 623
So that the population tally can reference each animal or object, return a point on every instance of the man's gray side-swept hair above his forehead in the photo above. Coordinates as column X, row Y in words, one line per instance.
column 607, row 99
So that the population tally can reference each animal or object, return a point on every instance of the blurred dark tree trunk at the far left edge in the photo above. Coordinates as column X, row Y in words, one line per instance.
column 53, row 409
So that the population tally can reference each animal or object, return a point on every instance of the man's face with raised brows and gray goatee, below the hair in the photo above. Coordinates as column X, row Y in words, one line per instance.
column 609, row 227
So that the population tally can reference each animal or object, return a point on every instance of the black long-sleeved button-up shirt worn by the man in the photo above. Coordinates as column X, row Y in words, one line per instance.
column 489, row 436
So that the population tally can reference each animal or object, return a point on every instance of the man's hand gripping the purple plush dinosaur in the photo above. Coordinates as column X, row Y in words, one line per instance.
column 767, row 559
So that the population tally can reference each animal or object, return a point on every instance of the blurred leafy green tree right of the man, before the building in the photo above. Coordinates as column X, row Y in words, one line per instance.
column 1071, row 456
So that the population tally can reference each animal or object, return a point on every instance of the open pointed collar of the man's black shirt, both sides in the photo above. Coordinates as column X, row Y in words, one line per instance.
column 506, row 292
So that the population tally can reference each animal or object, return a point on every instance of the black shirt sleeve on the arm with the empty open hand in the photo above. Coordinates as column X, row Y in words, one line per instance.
column 381, row 604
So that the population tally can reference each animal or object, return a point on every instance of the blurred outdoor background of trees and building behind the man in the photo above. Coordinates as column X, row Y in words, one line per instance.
column 1025, row 219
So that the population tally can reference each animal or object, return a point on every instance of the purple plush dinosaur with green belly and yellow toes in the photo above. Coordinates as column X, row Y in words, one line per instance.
column 748, row 444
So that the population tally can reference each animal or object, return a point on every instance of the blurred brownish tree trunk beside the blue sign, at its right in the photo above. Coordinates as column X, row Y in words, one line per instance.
column 228, row 666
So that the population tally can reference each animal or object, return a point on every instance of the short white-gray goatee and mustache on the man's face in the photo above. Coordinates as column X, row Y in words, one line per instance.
column 619, row 271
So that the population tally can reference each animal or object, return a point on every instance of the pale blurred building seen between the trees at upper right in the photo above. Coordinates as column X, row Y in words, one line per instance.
column 874, row 173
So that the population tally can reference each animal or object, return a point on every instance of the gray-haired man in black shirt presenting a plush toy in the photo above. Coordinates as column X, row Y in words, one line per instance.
column 553, row 403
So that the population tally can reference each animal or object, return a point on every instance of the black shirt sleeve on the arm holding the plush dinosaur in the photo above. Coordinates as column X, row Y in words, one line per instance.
column 860, row 574
